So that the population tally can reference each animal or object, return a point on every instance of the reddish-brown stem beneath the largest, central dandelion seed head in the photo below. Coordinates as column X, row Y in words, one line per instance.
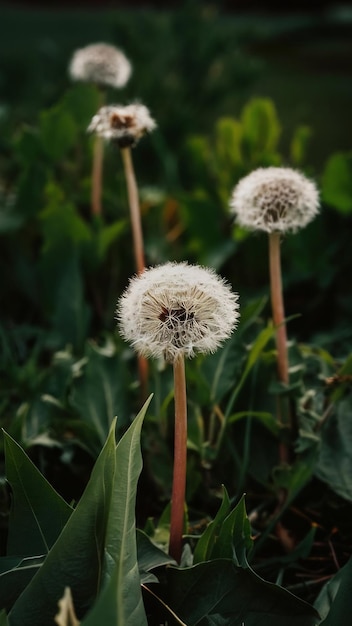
column 180, row 461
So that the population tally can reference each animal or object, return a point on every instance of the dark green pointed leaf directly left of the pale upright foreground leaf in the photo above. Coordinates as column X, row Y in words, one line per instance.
column 75, row 560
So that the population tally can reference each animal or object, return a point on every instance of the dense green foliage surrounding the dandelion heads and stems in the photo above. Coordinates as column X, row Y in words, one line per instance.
column 230, row 94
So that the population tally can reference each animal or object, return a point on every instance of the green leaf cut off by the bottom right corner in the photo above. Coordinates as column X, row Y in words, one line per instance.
column 334, row 602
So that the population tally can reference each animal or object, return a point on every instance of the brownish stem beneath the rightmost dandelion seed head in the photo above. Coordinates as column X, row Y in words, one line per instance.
column 278, row 311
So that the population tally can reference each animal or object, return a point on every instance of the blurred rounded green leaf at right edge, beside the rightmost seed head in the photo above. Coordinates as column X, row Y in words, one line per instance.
column 337, row 182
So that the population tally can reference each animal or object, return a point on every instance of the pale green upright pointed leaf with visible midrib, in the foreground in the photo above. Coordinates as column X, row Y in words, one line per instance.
column 120, row 601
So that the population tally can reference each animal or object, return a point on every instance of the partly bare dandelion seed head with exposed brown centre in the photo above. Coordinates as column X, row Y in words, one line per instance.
column 123, row 124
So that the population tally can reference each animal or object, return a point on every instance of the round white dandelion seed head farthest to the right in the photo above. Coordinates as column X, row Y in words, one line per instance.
column 275, row 199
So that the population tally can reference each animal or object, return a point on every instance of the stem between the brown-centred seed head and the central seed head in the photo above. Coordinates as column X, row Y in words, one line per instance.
column 135, row 213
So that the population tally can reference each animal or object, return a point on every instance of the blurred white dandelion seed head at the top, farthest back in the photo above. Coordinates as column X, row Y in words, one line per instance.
column 101, row 64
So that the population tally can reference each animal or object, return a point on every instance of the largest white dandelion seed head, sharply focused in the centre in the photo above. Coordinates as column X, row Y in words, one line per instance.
column 176, row 310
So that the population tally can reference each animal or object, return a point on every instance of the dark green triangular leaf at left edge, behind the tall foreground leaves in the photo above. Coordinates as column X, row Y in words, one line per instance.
column 38, row 514
